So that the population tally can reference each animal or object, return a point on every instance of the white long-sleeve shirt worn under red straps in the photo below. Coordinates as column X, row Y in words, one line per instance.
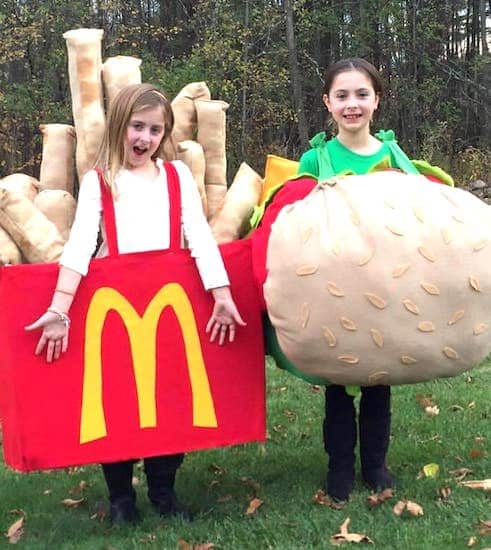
column 142, row 221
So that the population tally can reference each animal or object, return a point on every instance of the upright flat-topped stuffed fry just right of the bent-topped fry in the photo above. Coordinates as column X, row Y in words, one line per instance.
column 211, row 136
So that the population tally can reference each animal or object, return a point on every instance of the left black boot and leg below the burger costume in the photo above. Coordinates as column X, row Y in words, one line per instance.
column 339, row 442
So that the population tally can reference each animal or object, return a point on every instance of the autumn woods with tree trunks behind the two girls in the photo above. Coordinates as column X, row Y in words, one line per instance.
column 267, row 60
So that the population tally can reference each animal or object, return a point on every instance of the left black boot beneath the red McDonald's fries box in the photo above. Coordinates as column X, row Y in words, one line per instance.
column 122, row 496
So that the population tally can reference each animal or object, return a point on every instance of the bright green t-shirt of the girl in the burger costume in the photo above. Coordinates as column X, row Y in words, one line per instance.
column 344, row 160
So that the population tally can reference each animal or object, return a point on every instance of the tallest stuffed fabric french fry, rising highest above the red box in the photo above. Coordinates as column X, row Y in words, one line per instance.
column 84, row 70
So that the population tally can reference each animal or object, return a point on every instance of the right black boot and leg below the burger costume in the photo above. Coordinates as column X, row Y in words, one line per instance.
column 374, row 423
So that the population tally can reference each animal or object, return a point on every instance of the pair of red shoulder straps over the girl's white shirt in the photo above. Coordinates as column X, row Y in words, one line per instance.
column 109, row 219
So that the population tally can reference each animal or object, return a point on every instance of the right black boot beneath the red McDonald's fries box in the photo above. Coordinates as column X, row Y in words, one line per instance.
column 161, row 475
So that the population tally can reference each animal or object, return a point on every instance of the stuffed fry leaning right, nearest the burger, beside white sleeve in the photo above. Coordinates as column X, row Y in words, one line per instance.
column 232, row 219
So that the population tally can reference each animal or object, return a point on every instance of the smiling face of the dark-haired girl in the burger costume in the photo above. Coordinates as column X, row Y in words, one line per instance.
column 352, row 101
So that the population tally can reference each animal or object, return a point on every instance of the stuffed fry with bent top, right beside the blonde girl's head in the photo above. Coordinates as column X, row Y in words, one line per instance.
column 184, row 110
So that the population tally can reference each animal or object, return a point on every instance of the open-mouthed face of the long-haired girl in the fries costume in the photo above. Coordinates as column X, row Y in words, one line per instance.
column 144, row 133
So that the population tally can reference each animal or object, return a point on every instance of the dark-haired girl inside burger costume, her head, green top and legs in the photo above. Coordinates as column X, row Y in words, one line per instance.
column 352, row 92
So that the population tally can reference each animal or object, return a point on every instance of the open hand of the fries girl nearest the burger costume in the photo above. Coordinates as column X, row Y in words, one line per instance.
column 224, row 317
